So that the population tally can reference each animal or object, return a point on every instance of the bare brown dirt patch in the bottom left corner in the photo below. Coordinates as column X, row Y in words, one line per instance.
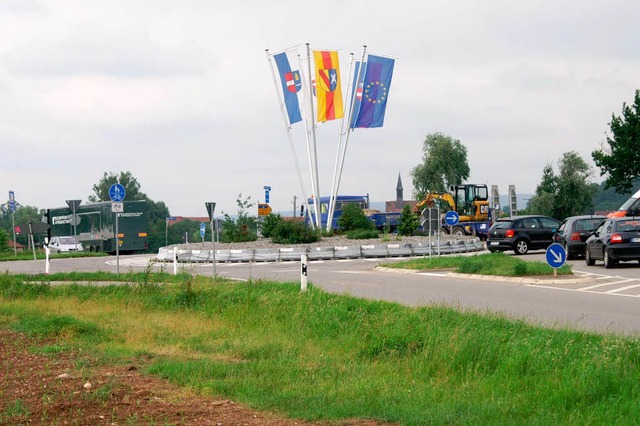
column 40, row 385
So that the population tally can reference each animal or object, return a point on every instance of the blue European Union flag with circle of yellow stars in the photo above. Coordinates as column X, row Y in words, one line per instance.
column 369, row 112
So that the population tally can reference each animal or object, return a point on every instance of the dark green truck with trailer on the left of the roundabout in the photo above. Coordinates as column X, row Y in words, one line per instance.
column 95, row 226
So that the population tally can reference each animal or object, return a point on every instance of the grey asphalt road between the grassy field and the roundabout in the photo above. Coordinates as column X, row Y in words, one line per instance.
column 596, row 299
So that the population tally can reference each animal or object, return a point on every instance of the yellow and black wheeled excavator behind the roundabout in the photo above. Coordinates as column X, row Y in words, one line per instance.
column 470, row 201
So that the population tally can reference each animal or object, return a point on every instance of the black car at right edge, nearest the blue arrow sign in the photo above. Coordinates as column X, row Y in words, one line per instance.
column 616, row 239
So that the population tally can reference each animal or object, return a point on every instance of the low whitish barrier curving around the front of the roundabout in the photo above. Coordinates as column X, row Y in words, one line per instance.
column 322, row 253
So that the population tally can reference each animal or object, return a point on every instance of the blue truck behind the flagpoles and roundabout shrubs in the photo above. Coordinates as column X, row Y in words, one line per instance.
column 380, row 219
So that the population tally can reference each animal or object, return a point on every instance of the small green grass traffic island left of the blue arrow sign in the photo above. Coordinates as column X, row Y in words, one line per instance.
column 484, row 264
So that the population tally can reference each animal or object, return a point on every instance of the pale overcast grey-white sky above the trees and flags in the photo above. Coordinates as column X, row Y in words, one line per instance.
column 181, row 94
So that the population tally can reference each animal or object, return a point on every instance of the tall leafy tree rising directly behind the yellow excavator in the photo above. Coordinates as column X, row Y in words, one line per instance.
column 444, row 163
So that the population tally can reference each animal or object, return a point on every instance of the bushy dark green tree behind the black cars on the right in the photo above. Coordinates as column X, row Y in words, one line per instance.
column 567, row 194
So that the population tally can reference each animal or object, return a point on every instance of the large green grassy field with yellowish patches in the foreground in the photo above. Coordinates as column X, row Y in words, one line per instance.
column 321, row 356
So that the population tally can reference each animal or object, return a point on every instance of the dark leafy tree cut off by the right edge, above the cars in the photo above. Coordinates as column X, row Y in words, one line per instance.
column 621, row 160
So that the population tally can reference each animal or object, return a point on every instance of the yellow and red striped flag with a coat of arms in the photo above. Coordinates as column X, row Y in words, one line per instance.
column 328, row 85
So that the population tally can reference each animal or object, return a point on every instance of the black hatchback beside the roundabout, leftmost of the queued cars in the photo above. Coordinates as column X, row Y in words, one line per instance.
column 522, row 233
